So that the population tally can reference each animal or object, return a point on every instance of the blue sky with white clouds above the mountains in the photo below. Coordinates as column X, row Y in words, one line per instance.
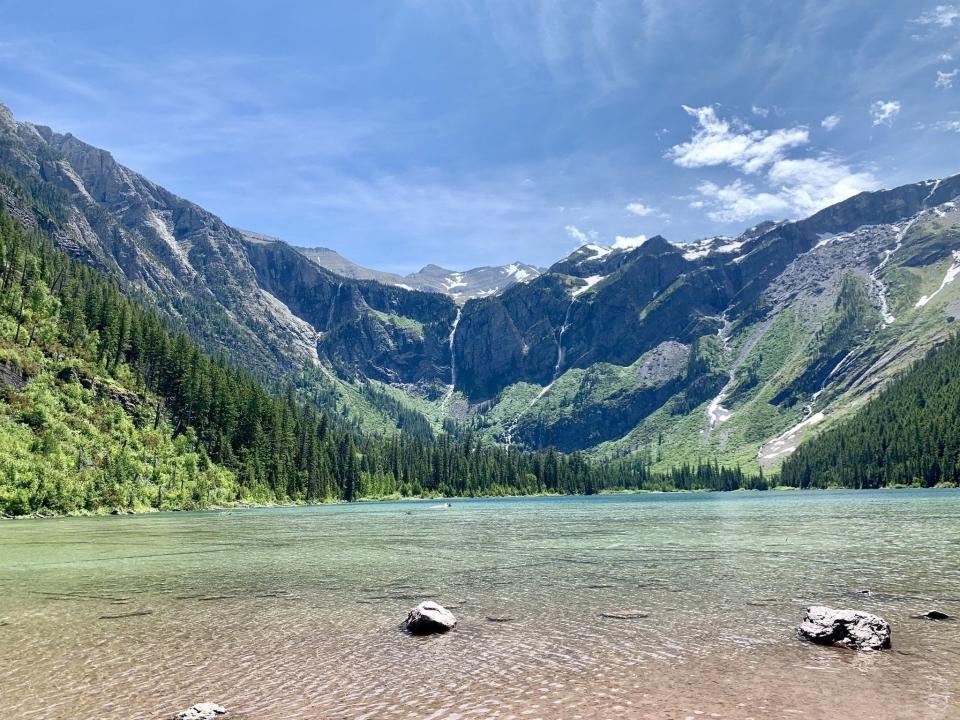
column 465, row 133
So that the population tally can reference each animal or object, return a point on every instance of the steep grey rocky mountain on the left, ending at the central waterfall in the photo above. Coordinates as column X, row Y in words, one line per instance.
column 258, row 300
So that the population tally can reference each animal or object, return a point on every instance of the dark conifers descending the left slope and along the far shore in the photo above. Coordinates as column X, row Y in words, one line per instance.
column 275, row 445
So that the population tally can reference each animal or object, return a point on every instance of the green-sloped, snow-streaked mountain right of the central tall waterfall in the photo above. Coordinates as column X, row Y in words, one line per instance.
column 732, row 347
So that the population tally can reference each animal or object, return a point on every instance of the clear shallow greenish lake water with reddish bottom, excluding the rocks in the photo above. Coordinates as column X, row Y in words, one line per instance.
column 296, row 613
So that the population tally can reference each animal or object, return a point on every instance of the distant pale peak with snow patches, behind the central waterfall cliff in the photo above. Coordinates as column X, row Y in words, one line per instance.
column 459, row 285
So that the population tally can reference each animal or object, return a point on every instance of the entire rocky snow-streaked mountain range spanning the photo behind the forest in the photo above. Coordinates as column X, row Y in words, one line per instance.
column 729, row 348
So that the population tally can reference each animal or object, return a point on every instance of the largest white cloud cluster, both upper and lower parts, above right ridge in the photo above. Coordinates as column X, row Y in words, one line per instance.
column 794, row 186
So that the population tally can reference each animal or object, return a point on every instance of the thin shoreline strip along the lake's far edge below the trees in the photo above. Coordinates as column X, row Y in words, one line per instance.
column 240, row 506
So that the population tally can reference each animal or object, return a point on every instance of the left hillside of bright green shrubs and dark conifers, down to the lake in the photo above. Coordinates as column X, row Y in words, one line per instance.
column 103, row 405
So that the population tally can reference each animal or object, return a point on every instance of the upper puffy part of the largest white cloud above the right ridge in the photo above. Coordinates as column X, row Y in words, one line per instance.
column 717, row 143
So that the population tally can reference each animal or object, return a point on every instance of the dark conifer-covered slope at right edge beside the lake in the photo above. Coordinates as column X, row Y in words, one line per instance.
column 907, row 435
